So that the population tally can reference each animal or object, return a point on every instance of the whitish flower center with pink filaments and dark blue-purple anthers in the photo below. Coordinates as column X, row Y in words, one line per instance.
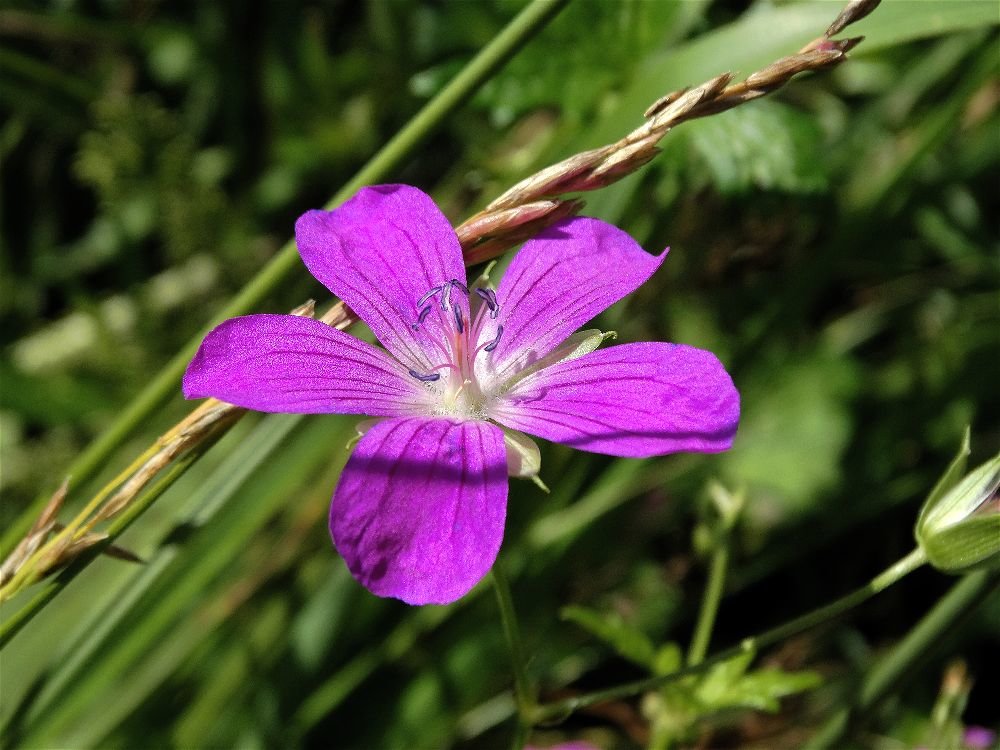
column 452, row 320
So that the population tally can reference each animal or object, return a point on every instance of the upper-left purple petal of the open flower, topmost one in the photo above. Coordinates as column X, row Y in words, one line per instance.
column 381, row 252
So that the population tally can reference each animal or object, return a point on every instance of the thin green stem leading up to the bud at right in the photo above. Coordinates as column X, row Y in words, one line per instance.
column 897, row 571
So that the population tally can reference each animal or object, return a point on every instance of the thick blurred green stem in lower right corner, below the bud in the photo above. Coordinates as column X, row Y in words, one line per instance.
column 957, row 604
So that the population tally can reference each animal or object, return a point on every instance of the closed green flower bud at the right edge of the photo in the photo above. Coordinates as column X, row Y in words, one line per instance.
column 959, row 529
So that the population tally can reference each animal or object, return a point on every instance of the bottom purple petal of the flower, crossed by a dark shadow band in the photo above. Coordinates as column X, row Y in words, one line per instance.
column 420, row 508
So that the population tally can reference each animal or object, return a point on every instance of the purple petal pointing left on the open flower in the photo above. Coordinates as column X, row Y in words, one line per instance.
column 285, row 363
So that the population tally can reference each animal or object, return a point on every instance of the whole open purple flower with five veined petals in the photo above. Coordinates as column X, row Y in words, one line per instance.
column 419, row 510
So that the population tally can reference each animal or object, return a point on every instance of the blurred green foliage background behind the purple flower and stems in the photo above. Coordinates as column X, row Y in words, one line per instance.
column 835, row 244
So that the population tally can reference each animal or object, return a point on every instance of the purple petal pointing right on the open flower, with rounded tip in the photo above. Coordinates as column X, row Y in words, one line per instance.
column 634, row 400
